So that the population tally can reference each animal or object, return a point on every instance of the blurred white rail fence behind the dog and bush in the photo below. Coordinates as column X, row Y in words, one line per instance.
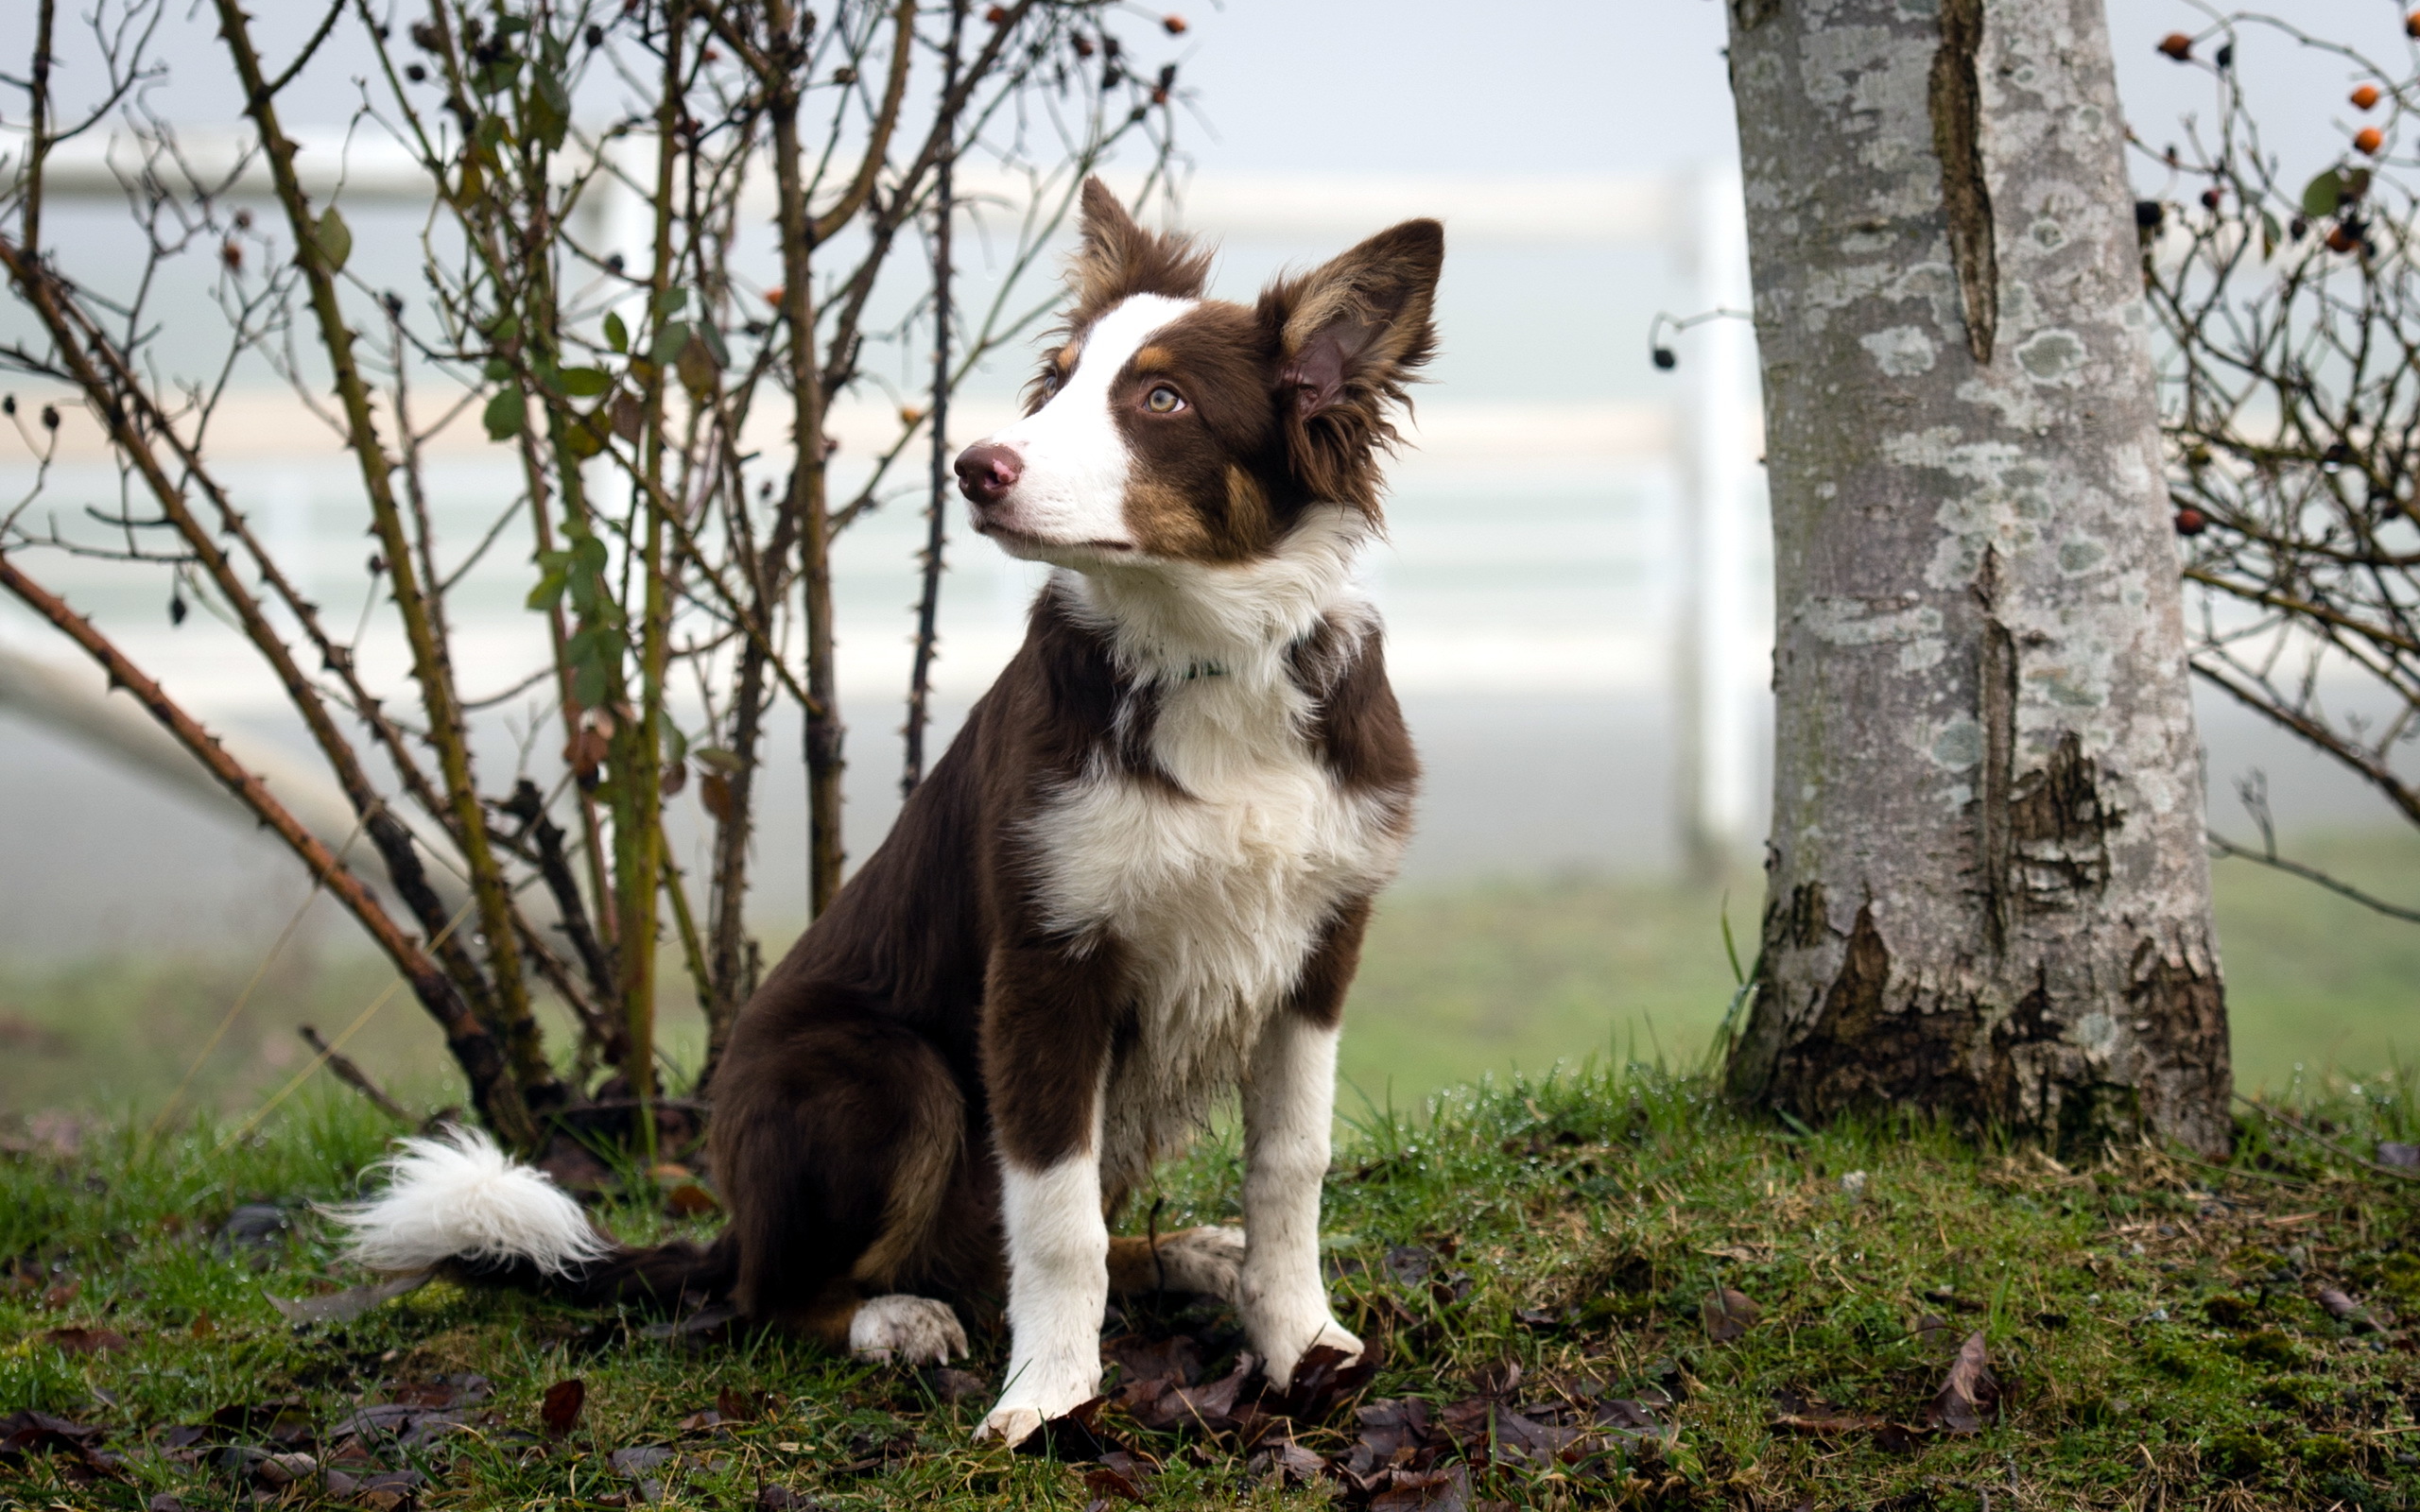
column 1596, row 538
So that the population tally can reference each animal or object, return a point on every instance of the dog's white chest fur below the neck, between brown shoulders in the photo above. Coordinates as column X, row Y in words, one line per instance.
column 1216, row 896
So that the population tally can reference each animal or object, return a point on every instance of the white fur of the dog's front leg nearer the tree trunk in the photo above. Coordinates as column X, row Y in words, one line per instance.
column 1289, row 1107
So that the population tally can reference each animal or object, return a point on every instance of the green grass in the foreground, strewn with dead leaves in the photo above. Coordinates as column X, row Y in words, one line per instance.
column 2155, row 1322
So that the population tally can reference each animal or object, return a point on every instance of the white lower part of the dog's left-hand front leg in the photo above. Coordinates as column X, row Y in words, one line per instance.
column 1059, row 1291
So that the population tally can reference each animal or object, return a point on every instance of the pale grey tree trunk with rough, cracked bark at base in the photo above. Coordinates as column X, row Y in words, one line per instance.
column 1988, row 889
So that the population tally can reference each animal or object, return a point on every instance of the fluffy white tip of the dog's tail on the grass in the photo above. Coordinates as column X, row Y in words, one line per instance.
column 459, row 1196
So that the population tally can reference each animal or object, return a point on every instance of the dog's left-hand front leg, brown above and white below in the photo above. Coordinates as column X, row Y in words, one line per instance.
column 1047, row 1046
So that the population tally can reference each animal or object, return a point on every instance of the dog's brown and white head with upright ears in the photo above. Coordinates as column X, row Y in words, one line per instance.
column 1168, row 427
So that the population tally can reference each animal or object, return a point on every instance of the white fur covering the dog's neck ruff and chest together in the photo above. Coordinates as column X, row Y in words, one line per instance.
column 1218, row 896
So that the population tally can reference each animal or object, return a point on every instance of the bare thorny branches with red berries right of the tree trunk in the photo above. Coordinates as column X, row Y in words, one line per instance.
column 2291, row 376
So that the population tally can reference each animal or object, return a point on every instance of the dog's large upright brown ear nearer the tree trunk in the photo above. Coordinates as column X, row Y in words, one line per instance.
column 1349, row 337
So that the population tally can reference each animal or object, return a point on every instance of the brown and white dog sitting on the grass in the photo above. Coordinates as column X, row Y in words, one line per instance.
column 1136, row 882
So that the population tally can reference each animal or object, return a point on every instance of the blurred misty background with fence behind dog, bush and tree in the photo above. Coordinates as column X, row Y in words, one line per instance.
column 1574, row 584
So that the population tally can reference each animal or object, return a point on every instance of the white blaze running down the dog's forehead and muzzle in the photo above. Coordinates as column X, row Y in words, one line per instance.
column 1076, row 461
